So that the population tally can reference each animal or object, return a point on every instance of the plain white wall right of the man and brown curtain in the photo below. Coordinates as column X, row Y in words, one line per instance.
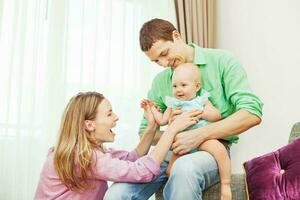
column 265, row 36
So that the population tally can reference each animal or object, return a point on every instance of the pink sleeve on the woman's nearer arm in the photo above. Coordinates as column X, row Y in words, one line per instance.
column 109, row 168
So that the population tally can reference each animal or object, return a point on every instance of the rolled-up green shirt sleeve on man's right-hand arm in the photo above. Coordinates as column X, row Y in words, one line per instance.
column 237, row 88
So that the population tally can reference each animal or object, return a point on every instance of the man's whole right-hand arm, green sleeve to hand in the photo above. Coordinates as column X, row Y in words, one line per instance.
column 247, row 106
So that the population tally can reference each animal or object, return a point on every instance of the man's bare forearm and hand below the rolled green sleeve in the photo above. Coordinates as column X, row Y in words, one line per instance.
column 234, row 124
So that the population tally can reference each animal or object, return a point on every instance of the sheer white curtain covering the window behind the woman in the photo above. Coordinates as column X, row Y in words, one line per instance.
column 49, row 51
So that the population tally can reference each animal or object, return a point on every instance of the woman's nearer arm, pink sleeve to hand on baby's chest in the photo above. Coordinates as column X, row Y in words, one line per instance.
column 146, row 168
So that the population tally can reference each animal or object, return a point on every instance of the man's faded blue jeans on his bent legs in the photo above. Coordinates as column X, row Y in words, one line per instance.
column 190, row 175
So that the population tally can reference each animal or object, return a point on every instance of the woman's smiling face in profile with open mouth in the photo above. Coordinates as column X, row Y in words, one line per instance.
column 105, row 120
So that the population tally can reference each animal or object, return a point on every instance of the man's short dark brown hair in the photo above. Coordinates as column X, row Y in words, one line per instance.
column 154, row 30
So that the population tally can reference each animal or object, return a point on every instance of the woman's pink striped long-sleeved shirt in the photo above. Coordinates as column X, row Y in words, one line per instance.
column 116, row 166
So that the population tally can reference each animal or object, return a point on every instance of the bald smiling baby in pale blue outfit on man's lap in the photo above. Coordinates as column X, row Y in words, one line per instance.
column 186, row 82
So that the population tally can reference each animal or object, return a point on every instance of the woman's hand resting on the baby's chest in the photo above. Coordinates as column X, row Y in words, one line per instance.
column 184, row 120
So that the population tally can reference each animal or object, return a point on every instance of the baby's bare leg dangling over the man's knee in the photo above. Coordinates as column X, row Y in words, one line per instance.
column 219, row 152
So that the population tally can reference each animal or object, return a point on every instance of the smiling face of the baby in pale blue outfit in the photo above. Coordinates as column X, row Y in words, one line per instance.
column 184, row 87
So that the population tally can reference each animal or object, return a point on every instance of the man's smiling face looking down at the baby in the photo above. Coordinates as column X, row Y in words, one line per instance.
column 167, row 53
